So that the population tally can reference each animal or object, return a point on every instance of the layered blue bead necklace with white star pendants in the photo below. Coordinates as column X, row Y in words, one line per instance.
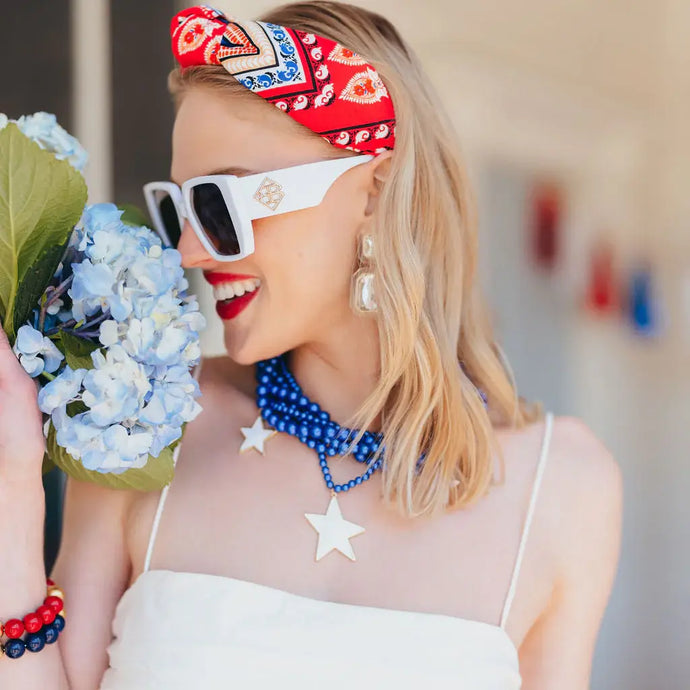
column 284, row 406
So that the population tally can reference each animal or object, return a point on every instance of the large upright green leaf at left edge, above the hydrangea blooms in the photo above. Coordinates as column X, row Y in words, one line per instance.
column 41, row 199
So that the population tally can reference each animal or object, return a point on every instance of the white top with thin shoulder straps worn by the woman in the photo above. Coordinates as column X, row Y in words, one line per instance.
column 194, row 630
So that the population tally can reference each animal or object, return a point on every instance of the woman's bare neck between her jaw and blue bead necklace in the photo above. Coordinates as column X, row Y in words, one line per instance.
column 339, row 372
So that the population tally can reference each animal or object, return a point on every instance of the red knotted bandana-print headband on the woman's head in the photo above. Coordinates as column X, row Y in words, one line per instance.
column 326, row 87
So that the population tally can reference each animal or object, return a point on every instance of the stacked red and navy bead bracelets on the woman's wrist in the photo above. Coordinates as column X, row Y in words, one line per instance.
column 44, row 623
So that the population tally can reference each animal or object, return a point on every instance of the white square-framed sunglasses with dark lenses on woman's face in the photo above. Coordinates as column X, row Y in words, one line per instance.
column 220, row 208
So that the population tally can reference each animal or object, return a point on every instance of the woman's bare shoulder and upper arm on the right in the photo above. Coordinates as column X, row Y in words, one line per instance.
column 582, row 496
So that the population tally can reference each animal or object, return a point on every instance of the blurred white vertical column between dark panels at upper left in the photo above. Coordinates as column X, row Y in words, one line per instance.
column 91, row 94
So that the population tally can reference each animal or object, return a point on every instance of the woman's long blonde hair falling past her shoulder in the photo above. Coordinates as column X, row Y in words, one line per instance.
column 436, row 343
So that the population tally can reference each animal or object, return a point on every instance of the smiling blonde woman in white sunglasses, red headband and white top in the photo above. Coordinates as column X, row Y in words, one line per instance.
column 268, row 560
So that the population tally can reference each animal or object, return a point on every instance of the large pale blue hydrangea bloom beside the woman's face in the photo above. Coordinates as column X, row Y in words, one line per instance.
column 128, row 294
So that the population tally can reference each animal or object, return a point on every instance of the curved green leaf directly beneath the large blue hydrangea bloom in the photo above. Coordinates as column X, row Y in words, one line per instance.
column 154, row 476
